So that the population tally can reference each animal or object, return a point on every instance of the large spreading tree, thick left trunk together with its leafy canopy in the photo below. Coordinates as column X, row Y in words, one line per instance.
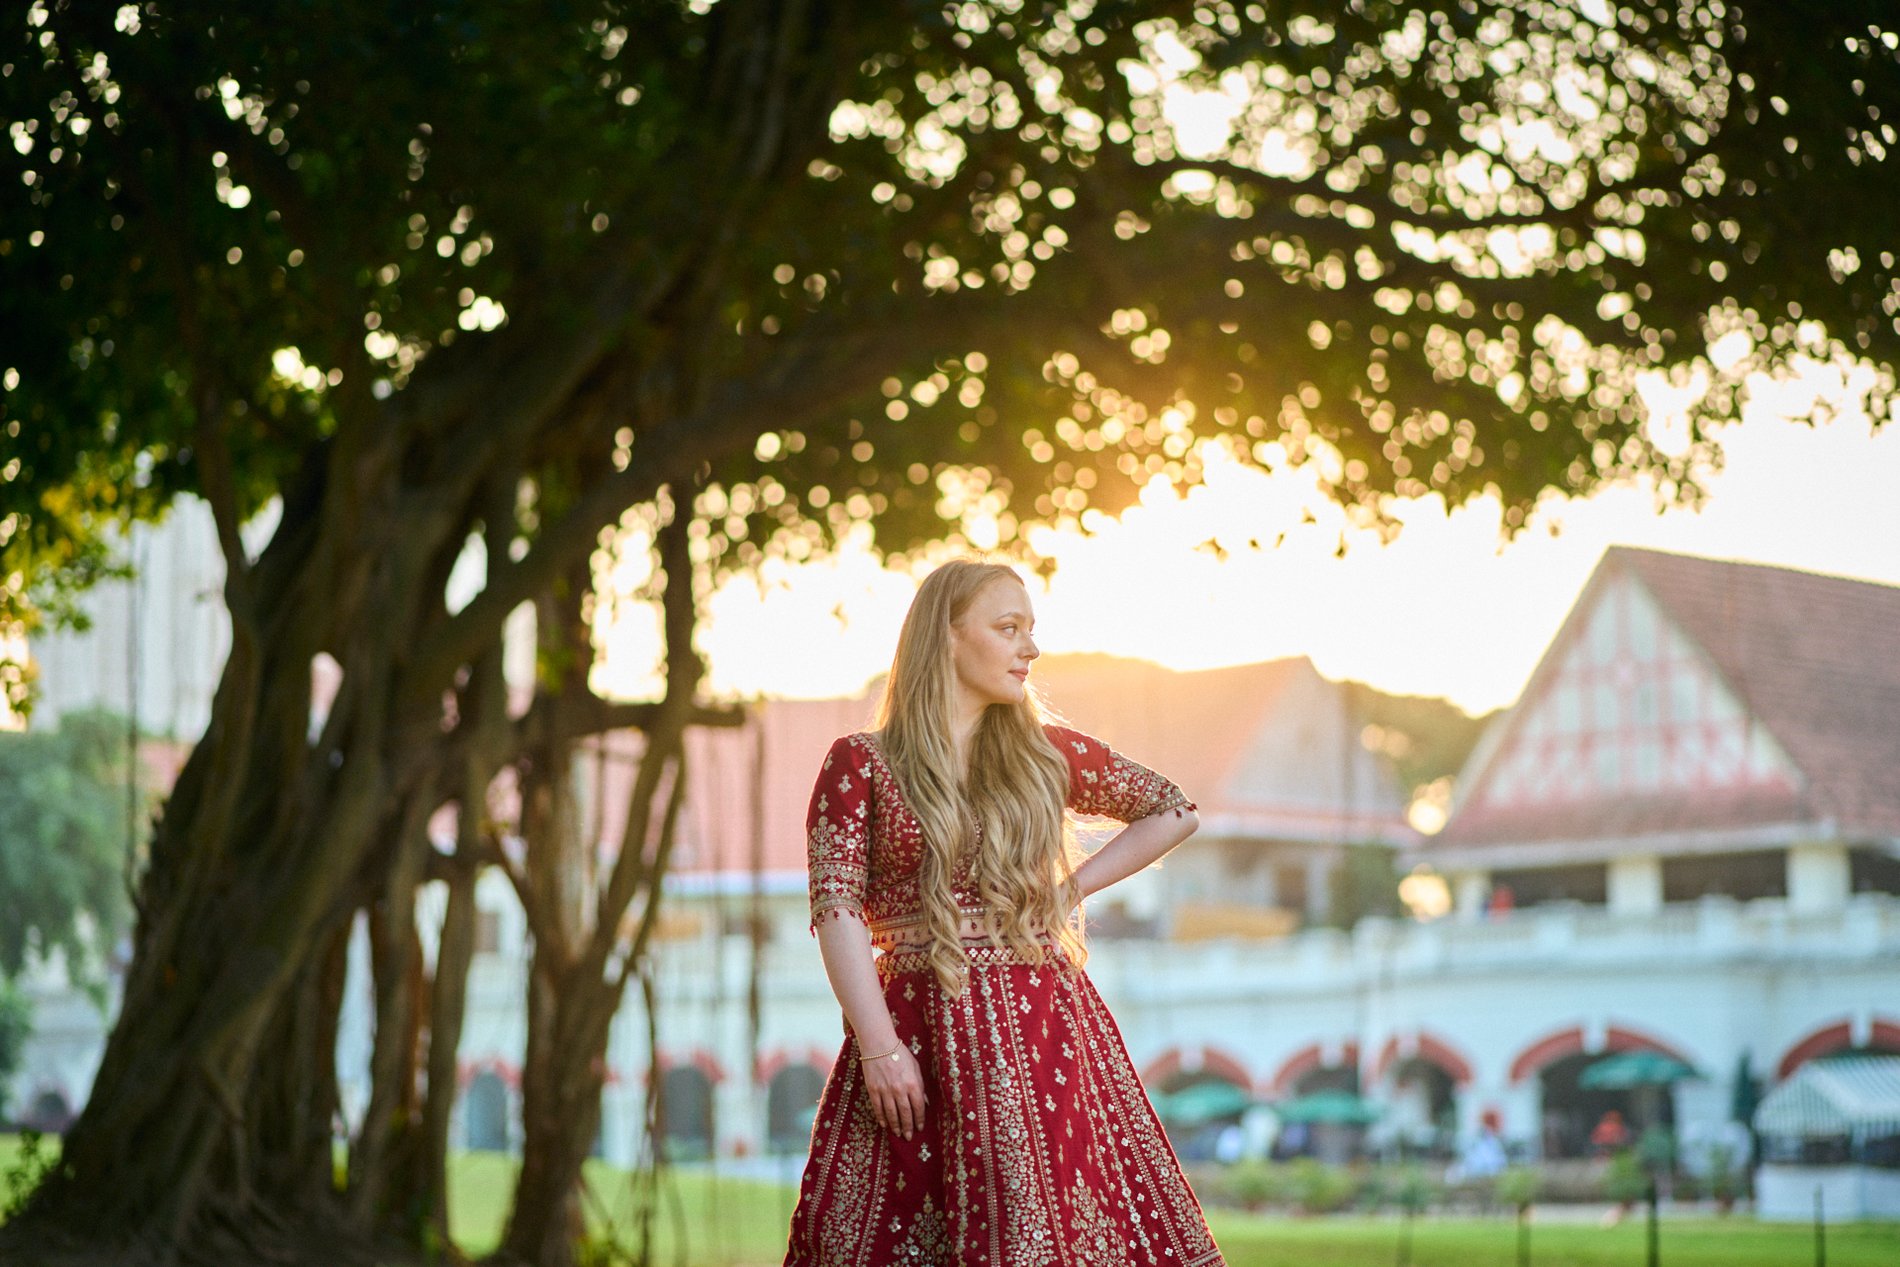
column 482, row 271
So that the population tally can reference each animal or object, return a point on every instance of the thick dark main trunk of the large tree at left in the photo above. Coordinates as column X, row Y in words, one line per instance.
column 210, row 1118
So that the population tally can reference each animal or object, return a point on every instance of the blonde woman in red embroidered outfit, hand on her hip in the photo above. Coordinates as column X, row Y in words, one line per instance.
column 983, row 1110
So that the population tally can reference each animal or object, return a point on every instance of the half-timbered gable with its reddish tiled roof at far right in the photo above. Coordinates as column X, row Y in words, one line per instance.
column 1696, row 727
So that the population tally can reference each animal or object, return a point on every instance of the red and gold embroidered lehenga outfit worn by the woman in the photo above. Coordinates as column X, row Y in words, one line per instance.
column 1040, row 1146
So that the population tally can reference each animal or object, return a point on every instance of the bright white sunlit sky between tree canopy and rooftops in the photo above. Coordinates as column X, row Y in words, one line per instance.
column 1445, row 611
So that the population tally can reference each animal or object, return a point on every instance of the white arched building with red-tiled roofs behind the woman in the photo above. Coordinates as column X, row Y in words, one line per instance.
column 1684, row 839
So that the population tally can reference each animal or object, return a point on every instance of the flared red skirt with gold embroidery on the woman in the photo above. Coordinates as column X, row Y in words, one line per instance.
column 1038, row 1150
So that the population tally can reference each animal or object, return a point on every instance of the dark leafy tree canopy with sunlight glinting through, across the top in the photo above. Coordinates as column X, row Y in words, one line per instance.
column 1430, row 246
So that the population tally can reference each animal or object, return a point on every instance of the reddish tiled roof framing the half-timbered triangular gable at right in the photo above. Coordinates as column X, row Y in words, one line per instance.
column 1814, row 660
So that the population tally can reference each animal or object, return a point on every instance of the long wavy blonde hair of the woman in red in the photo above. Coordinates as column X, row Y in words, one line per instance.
column 1008, row 806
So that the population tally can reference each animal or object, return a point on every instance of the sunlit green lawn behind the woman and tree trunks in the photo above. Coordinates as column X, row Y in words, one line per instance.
column 712, row 1220
